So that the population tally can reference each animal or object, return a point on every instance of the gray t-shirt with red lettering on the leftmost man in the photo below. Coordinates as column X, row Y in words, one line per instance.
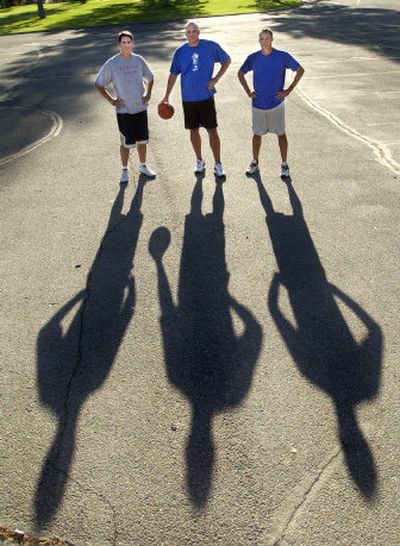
column 126, row 76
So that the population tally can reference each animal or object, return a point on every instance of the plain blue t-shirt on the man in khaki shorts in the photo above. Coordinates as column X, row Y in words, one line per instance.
column 268, row 76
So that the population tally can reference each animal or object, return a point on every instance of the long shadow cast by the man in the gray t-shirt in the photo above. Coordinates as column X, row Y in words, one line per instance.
column 75, row 352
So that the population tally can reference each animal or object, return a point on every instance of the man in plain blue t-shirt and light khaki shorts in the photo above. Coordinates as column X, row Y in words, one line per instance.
column 269, row 68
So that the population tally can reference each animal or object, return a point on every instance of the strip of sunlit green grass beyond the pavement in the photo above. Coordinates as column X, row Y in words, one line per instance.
column 92, row 13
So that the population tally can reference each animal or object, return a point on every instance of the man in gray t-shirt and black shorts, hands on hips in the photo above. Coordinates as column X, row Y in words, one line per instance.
column 132, row 81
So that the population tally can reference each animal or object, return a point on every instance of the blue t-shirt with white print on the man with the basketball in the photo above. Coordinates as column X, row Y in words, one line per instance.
column 196, row 66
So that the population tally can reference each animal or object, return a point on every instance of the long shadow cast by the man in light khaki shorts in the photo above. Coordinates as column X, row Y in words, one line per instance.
column 319, row 339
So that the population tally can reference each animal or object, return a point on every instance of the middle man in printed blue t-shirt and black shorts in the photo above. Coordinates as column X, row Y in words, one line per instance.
column 194, row 61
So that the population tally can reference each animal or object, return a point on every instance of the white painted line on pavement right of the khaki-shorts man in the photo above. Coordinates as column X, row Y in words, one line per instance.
column 382, row 153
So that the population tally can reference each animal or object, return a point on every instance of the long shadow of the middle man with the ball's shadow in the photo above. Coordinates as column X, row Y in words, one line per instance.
column 206, row 359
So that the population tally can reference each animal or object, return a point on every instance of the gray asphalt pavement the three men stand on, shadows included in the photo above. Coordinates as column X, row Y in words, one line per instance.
column 189, row 362
